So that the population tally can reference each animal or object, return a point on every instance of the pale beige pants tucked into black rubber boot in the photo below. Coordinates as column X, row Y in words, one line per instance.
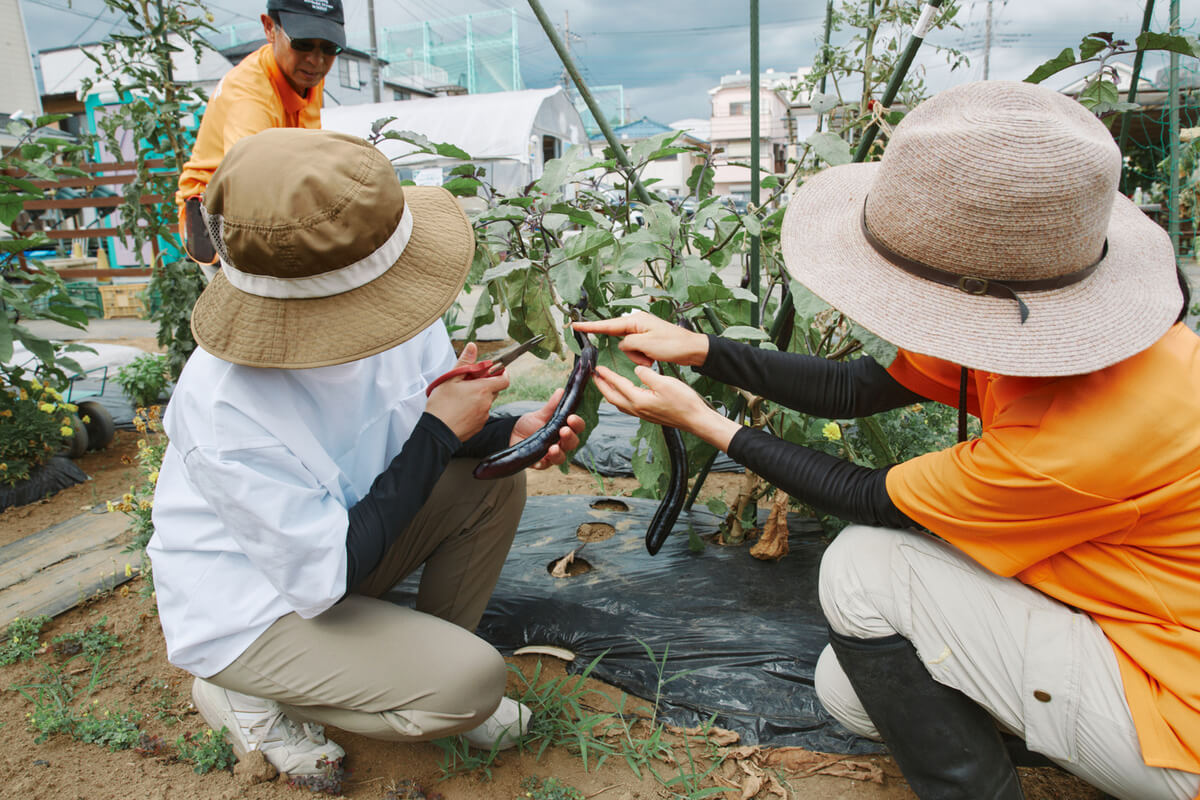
column 1045, row 671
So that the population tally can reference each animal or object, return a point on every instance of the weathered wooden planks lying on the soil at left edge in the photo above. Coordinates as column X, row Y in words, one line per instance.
column 63, row 567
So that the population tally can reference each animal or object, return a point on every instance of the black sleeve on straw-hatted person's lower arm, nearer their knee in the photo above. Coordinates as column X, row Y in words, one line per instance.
column 827, row 483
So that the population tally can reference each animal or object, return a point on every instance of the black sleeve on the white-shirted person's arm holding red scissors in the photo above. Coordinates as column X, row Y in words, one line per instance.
column 397, row 496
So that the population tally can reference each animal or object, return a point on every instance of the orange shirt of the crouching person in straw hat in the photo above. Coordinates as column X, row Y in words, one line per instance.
column 1088, row 489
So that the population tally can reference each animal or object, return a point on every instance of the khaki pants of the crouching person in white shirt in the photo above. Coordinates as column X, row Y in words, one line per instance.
column 388, row 672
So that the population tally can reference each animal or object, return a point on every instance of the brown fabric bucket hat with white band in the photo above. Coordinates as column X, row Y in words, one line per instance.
column 326, row 258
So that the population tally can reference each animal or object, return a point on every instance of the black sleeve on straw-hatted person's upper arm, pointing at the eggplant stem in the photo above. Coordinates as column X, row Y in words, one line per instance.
column 806, row 383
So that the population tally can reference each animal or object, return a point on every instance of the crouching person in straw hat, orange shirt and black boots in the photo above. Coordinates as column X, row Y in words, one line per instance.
column 1058, row 600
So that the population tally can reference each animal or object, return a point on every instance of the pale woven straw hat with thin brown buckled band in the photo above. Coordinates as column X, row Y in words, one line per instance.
column 992, row 234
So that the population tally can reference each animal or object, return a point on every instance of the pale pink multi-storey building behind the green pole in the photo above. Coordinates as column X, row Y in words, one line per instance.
column 783, row 121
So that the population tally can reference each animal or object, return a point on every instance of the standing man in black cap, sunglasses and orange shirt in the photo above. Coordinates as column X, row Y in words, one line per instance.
column 279, row 86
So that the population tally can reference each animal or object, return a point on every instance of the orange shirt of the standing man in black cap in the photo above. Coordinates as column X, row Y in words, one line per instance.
column 254, row 97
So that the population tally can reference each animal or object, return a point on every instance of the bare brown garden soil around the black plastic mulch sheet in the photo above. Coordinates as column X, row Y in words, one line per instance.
column 141, row 678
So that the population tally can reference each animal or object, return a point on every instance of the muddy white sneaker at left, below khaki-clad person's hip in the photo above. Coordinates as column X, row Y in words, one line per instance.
column 255, row 724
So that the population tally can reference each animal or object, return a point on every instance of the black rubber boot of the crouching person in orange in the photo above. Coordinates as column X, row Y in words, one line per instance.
column 947, row 747
